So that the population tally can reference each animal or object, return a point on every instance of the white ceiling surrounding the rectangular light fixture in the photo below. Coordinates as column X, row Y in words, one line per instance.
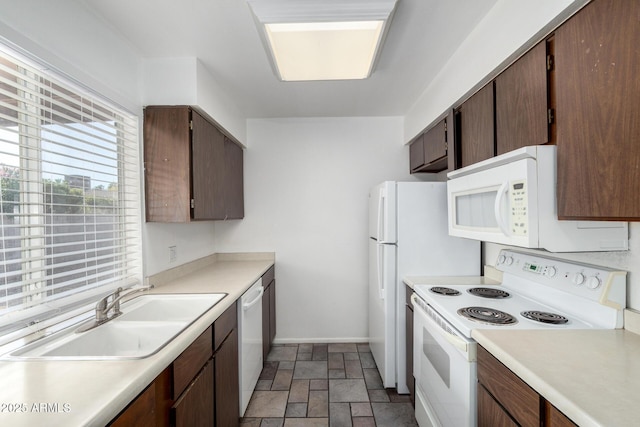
column 223, row 36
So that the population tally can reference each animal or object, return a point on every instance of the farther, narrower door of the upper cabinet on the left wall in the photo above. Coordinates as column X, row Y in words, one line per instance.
column 233, row 180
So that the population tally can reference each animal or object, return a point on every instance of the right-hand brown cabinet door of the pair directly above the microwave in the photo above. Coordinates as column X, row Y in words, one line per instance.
column 521, row 102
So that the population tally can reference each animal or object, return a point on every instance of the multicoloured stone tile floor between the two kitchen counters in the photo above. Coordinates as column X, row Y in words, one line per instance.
column 316, row 385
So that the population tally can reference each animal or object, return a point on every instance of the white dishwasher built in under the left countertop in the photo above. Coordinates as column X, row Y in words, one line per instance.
column 250, row 341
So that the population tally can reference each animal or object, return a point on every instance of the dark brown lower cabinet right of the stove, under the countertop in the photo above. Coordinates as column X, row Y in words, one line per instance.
column 505, row 400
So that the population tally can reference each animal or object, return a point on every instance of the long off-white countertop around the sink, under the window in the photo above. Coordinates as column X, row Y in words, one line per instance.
column 79, row 393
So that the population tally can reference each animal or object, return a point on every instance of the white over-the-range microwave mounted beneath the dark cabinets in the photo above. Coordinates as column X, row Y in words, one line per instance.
column 511, row 199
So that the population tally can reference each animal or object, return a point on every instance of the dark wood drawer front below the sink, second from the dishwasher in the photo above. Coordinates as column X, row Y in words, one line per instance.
column 189, row 363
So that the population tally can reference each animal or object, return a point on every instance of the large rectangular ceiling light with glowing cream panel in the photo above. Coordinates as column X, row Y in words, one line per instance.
column 322, row 40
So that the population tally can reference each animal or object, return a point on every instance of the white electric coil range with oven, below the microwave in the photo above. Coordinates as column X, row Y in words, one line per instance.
column 536, row 292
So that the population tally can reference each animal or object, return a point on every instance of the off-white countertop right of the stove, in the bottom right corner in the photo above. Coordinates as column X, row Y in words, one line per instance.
column 592, row 376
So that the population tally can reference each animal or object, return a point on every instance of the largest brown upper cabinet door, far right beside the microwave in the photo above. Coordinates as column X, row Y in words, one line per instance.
column 597, row 116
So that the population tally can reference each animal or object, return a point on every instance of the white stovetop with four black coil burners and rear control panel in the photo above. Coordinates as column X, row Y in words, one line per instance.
column 536, row 292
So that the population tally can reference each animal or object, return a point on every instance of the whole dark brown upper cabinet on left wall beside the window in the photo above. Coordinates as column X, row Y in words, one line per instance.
column 192, row 170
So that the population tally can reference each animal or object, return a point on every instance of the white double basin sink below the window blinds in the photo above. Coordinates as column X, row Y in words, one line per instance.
column 146, row 325
